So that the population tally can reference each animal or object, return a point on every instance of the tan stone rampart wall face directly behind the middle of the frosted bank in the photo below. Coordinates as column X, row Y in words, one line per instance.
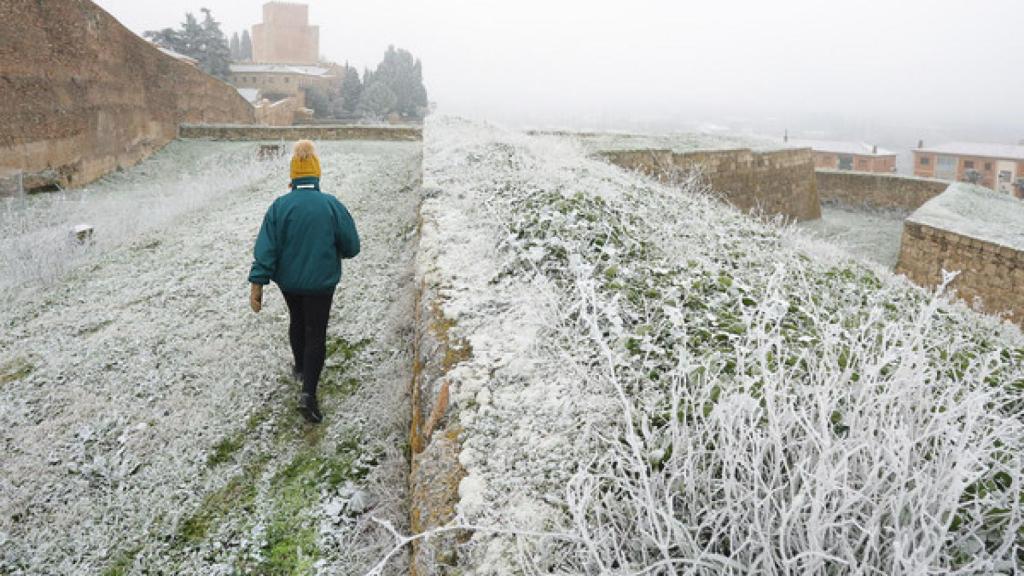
column 771, row 183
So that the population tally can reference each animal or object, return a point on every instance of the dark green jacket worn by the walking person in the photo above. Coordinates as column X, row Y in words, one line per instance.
column 304, row 238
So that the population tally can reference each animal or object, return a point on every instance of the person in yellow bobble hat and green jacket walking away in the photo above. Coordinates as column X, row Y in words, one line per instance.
column 305, row 236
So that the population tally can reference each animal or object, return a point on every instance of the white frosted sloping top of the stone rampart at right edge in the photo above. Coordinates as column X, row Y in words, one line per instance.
column 977, row 213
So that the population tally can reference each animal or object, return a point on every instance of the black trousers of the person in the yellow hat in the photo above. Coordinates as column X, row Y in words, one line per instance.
column 308, row 335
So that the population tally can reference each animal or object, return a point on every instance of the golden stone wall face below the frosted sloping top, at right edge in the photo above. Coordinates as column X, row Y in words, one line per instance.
column 990, row 273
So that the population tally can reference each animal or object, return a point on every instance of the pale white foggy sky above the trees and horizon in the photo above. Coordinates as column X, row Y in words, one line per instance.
column 915, row 64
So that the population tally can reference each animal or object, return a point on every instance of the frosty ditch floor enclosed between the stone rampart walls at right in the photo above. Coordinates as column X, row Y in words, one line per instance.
column 873, row 236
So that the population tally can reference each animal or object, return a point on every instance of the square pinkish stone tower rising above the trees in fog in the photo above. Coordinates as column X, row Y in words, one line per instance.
column 285, row 35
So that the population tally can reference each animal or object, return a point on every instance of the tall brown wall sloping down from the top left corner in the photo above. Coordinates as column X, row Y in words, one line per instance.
column 83, row 96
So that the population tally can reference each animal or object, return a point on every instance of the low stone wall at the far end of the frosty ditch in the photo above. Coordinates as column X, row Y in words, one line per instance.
column 887, row 192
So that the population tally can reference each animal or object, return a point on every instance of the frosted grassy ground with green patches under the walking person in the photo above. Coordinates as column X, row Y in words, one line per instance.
column 147, row 416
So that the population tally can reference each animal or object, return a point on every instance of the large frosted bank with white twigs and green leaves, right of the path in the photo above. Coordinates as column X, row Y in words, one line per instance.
column 664, row 386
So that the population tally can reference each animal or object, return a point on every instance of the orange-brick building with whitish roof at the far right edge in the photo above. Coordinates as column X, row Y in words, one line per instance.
column 1000, row 168
